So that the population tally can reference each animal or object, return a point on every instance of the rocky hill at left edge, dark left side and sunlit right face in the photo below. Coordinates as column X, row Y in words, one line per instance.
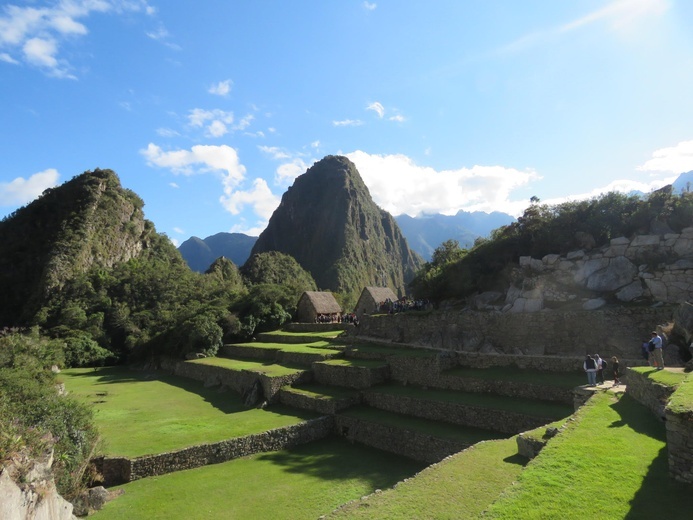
column 88, row 221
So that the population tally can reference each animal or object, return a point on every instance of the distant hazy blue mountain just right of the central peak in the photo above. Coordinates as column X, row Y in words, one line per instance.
column 426, row 232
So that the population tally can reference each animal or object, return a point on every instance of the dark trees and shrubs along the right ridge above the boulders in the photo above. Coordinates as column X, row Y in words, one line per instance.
column 542, row 229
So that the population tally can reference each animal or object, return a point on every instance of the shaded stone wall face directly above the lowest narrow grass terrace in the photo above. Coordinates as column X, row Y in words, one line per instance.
column 496, row 420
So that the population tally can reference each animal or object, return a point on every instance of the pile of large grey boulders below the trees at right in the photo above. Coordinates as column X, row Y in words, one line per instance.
column 647, row 268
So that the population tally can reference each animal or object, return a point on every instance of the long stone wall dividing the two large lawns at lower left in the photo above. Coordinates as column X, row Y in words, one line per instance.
column 201, row 455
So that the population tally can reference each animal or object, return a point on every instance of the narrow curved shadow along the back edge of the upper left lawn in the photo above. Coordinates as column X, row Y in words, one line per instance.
column 226, row 401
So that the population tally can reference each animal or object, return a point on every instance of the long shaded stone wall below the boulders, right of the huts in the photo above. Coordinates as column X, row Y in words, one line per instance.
column 609, row 331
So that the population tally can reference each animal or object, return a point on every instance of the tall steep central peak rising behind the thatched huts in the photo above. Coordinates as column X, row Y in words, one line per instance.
column 329, row 223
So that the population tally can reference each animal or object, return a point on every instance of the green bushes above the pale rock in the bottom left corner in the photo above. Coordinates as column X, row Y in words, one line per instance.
column 35, row 418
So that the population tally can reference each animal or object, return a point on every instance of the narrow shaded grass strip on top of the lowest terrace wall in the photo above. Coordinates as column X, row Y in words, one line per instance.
column 425, row 426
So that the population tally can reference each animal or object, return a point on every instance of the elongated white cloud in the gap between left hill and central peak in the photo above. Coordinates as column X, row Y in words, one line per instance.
column 199, row 159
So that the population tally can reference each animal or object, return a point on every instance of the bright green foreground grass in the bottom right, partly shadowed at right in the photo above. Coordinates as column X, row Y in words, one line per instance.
column 609, row 464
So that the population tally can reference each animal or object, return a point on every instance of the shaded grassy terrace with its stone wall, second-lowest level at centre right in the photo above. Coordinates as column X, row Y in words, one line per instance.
column 508, row 415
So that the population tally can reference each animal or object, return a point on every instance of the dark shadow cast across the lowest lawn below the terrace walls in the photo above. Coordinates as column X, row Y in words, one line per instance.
column 336, row 459
